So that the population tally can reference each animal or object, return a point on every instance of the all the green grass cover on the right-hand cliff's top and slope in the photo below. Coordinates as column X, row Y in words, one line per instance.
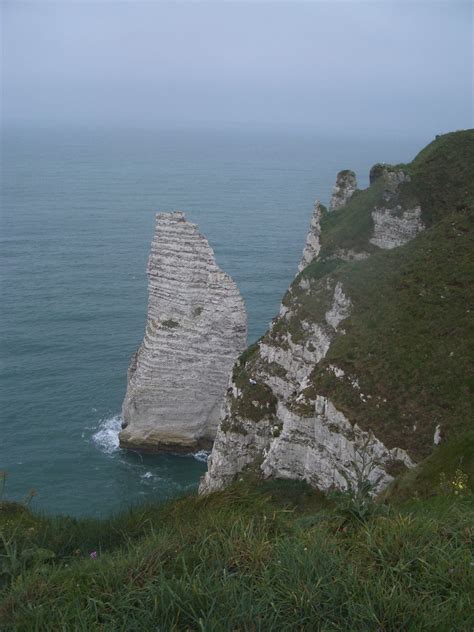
column 409, row 341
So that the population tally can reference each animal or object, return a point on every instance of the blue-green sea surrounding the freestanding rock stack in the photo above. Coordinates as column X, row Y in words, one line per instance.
column 77, row 218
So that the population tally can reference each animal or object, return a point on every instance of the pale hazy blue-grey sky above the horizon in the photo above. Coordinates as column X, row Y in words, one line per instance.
column 365, row 67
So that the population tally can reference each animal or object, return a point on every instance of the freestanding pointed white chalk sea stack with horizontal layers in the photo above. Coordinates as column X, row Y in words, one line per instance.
column 196, row 327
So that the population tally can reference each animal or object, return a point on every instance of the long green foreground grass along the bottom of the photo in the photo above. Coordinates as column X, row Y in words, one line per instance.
column 275, row 557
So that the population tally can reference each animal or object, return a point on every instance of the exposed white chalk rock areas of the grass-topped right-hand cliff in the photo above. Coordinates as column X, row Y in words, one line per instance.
column 274, row 422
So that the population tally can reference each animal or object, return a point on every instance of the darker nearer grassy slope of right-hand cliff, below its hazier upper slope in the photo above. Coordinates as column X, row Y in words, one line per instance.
column 409, row 340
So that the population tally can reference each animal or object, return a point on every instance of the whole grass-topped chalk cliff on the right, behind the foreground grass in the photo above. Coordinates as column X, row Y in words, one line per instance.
column 357, row 372
